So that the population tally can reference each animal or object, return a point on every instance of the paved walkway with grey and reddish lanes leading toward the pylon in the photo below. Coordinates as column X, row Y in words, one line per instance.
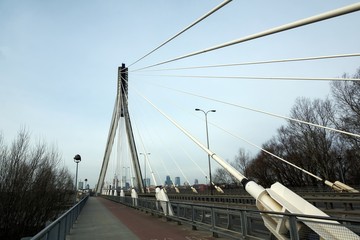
column 104, row 219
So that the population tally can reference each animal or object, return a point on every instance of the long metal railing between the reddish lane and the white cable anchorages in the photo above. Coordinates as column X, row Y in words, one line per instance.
column 236, row 223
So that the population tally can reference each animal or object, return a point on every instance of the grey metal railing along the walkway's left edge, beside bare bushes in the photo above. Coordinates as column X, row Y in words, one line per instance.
column 58, row 229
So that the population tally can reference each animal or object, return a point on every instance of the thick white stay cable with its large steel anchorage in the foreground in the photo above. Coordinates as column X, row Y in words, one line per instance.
column 278, row 198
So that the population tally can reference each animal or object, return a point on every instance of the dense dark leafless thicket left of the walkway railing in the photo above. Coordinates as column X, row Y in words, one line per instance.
column 33, row 188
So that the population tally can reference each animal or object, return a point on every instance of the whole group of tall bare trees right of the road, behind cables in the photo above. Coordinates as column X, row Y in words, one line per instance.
column 327, row 154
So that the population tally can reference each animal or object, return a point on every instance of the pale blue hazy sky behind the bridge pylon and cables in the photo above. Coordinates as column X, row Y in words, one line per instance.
column 58, row 75
